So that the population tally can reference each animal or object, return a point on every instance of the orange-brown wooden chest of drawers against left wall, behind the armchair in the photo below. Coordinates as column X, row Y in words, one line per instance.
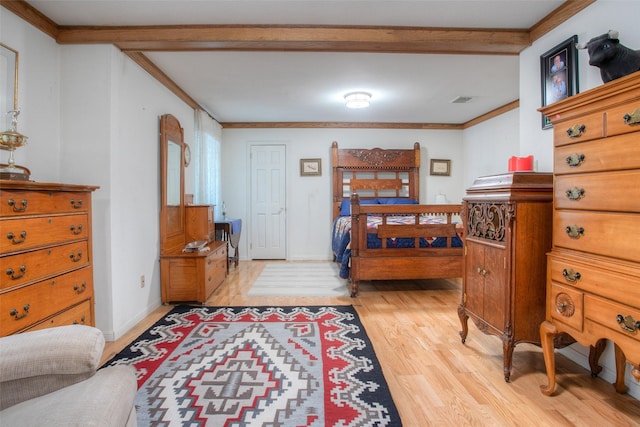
column 46, row 256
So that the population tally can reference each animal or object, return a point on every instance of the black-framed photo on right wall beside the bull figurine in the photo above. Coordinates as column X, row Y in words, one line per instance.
column 559, row 74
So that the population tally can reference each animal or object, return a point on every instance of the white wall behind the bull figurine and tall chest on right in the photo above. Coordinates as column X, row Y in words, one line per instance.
column 597, row 19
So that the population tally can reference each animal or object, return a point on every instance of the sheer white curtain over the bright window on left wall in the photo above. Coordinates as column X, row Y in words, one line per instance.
column 207, row 161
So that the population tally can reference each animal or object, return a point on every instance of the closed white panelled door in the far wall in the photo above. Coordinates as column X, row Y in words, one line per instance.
column 268, row 214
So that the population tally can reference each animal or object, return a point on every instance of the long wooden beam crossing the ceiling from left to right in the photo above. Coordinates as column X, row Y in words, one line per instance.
column 302, row 38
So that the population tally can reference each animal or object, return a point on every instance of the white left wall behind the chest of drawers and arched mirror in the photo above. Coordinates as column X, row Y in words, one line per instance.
column 92, row 117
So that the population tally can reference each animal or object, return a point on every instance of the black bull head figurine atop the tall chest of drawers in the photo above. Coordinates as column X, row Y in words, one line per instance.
column 613, row 59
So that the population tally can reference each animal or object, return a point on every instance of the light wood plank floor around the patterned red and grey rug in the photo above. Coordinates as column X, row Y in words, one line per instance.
column 433, row 377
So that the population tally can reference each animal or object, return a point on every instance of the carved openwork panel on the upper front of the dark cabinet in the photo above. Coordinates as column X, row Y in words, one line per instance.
column 488, row 220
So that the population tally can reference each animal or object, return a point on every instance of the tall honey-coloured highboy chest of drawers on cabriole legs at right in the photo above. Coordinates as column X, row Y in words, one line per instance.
column 593, row 277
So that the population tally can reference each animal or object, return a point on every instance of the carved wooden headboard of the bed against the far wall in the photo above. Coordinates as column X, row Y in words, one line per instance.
column 374, row 173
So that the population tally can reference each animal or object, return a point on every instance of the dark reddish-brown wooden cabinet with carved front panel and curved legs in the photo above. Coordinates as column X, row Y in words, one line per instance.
column 507, row 235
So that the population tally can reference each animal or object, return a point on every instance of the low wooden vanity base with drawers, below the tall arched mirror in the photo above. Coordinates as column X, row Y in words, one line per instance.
column 194, row 276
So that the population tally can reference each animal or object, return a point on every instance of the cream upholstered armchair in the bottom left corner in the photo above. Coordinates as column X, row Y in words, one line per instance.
column 48, row 377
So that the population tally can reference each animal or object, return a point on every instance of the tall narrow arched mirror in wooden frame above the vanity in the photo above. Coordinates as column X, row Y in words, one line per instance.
column 172, row 211
